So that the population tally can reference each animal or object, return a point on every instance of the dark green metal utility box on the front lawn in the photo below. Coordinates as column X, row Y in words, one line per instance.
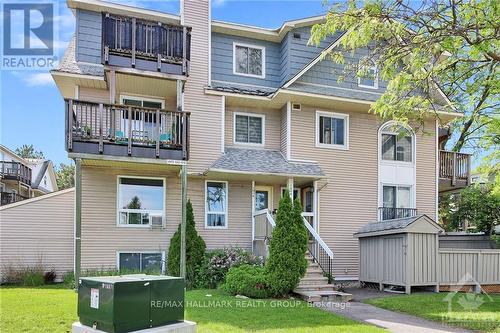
column 118, row 304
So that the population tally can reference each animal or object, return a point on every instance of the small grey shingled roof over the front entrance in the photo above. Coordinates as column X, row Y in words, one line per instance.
column 263, row 161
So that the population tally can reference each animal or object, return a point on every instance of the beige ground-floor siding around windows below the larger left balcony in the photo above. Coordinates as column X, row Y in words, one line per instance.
column 102, row 238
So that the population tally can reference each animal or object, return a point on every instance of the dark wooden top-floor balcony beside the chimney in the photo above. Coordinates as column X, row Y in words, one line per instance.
column 146, row 45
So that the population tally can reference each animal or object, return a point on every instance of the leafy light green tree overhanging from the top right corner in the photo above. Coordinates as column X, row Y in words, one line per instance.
column 417, row 45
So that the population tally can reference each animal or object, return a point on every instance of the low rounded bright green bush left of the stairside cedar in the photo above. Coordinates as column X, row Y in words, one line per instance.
column 247, row 280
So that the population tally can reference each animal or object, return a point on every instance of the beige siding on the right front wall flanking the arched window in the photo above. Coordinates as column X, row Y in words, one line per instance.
column 348, row 197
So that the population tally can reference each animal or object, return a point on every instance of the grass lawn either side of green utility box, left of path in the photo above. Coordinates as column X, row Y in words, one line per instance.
column 53, row 309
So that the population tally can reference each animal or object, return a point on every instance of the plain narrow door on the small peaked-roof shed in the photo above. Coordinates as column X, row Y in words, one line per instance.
column 394, row 259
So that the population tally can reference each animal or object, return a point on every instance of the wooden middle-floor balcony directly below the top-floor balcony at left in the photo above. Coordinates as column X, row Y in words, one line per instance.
column 123, row 130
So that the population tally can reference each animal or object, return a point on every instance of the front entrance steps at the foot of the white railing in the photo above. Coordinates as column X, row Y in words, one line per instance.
column 314, row 286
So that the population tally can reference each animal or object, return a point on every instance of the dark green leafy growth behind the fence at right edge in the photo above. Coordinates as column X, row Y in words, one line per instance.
column 477, row 206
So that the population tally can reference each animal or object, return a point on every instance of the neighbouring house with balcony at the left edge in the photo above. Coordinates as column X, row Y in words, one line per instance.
column 22, row 178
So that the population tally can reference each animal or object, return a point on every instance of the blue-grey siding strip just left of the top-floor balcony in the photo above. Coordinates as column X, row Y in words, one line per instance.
column 88, row 36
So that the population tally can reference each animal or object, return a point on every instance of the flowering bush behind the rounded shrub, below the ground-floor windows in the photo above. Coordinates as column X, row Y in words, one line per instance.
column 217, row 263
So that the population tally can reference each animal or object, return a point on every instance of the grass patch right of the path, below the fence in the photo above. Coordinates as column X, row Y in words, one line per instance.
column 475, row 312
